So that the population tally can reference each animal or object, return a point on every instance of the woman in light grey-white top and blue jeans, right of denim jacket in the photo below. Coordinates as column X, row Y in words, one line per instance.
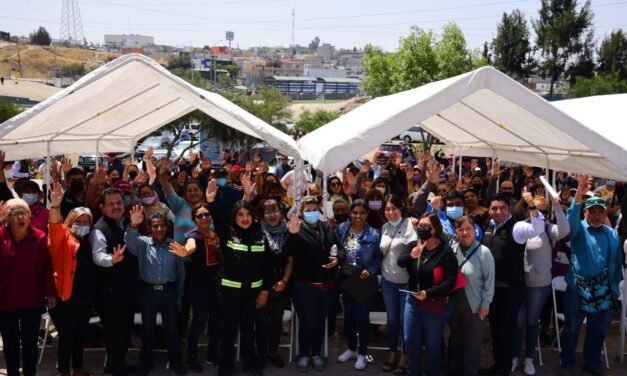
column 396, row 235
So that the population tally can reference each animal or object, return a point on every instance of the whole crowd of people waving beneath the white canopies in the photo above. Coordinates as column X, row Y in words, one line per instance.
column 225, row 249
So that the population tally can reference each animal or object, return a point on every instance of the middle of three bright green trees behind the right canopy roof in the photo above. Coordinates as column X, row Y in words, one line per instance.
column 416, row 61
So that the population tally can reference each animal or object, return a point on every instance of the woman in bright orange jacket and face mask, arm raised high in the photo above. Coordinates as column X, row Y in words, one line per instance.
column 74, row 272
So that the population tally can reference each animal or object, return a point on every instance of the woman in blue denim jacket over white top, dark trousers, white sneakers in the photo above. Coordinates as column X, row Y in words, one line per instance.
column 363, row 258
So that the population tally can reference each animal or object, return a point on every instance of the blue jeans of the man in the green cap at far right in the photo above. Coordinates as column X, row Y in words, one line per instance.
column 597, row 326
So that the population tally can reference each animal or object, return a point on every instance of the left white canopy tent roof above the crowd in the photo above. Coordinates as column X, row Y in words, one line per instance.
column 114, row 106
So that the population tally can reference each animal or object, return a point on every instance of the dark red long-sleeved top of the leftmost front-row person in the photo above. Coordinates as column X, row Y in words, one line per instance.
column 25, row 270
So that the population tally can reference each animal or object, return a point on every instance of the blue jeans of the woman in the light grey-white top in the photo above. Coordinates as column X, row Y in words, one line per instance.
column 395, row 306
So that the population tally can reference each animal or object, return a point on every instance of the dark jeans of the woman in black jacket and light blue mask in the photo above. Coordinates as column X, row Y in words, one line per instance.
column 312, row 307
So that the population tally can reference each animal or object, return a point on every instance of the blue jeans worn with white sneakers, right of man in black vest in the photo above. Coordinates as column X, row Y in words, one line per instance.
column 528, row 315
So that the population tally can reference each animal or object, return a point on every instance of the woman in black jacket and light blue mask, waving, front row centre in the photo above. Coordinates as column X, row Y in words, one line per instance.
column 317, row 252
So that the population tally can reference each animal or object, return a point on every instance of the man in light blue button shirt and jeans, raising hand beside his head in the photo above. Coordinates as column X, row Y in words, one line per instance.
column 162, row 277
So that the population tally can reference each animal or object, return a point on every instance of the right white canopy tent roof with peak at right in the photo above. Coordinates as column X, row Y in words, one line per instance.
column 480, row 113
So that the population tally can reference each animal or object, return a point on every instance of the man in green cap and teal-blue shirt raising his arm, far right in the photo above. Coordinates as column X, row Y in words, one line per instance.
column 593, row 277
